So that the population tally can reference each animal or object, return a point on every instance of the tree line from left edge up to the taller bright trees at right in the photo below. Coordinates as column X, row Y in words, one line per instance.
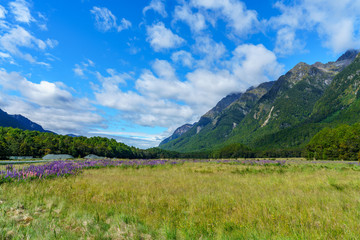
column 17, row 142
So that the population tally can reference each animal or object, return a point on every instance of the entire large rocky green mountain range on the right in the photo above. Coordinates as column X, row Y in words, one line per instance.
column 283, row 114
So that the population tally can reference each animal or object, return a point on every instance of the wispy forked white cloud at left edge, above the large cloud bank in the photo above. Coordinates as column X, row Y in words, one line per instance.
column 17, row 38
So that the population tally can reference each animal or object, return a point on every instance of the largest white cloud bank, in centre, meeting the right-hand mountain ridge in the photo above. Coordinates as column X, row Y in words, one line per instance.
column 161, row 99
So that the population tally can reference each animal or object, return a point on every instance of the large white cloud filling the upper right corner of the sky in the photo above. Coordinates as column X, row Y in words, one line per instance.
column 336, row 22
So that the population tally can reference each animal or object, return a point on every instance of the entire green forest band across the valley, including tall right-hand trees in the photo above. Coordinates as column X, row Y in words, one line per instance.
column 342, row 143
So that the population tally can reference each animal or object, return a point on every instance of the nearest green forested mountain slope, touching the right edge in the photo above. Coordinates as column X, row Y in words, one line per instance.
column 340, row 104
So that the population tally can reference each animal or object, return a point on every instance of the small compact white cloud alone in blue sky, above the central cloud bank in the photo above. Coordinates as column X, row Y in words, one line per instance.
column 161, row 38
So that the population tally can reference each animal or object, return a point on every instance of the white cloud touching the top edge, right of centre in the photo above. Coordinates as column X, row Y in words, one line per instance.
column 241, row 20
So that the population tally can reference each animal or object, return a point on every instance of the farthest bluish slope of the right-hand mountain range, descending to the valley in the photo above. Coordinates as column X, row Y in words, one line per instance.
column 215, row 126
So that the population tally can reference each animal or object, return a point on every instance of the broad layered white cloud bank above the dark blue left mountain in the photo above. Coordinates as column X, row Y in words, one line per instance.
column 49, row 104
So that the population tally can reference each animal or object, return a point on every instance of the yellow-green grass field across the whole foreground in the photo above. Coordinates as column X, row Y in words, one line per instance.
column 205, row 200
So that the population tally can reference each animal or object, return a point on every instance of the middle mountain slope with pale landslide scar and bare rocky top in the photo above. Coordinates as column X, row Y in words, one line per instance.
column 289, row 102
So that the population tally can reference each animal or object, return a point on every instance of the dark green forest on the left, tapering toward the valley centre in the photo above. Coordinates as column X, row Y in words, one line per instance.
column 16, row 142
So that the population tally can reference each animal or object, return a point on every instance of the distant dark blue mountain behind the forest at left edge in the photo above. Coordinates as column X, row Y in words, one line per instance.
column 18, row 121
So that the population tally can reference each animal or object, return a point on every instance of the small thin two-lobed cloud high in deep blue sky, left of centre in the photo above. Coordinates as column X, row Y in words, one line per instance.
column 105, row 20
